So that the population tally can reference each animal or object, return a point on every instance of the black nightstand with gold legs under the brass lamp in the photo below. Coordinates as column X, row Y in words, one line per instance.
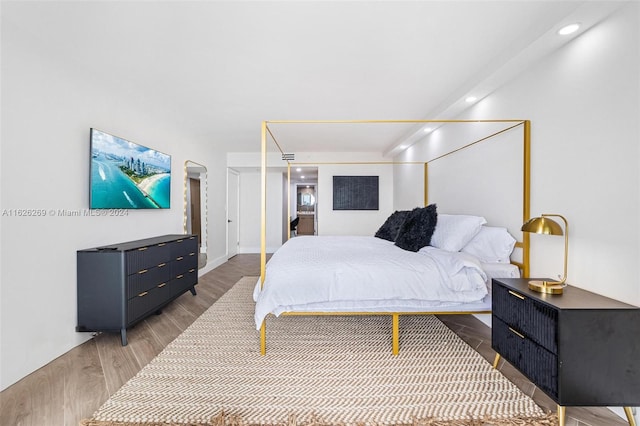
column 580, row 348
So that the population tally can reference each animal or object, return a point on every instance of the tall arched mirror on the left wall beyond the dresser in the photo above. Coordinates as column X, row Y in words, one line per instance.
column 195, row 206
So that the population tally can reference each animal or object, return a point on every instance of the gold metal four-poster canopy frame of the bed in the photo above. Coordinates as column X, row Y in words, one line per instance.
column 395, row 316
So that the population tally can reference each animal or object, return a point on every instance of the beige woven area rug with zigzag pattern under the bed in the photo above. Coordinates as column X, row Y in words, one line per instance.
column 319, row 370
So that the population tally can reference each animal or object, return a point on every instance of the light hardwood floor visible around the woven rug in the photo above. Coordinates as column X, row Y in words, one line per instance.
column 71, row 387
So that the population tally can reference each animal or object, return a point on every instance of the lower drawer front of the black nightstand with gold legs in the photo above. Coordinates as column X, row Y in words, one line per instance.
column 534, row 361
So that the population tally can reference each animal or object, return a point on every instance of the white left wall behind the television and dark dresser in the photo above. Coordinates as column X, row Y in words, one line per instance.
column 47, row 110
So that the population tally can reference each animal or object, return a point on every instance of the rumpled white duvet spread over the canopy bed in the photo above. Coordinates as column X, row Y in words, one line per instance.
column 365, row 274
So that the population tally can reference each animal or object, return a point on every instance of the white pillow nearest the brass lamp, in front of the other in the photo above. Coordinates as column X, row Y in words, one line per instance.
column 491, row 245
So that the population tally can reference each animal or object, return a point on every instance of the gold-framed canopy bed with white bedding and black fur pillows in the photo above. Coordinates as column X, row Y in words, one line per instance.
column 424, row 262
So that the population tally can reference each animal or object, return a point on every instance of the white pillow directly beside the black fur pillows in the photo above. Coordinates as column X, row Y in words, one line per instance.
column 454, row 231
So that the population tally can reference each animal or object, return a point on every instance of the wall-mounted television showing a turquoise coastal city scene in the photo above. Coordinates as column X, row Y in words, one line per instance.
column 125, row 175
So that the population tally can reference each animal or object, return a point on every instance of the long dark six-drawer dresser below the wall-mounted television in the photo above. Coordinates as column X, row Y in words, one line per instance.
column 121, row 284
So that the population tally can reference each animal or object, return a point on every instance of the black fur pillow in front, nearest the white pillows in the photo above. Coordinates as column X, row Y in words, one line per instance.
column 417, row 229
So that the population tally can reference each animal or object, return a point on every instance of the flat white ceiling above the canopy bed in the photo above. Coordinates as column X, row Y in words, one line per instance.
column 220, row 68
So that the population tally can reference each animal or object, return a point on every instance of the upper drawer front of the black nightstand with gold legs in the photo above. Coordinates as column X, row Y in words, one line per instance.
column 527, row 316
